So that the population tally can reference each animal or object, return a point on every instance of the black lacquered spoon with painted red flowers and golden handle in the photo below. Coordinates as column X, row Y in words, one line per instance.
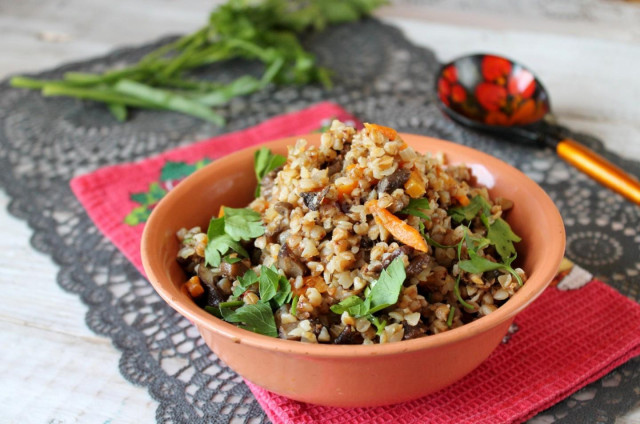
column 497, row 95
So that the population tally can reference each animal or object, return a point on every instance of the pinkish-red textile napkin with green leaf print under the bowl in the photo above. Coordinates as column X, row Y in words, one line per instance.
column 575, row 333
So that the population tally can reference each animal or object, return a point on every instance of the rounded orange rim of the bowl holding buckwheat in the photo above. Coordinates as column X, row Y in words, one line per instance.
column 539, row 279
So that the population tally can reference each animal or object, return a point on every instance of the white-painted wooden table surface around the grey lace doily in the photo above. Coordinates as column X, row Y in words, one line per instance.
column 55, row 370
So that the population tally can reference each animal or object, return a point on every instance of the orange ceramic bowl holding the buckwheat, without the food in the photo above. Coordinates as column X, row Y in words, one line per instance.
column 347, row 375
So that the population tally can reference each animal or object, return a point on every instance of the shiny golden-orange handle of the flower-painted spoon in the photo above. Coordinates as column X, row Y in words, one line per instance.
column 600, row 169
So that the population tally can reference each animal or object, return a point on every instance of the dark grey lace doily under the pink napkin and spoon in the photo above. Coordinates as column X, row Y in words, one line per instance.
column 380, row 77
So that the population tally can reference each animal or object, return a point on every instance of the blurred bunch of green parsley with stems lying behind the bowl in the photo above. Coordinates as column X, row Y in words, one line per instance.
column 264, row 30
